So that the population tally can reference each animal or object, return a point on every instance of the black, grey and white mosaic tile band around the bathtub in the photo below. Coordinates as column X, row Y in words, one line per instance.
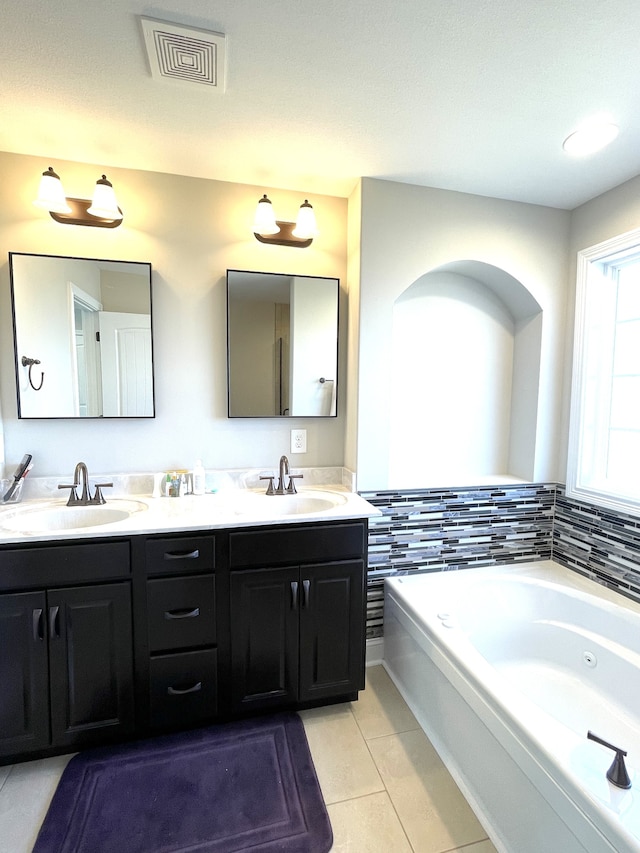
column 449, row 529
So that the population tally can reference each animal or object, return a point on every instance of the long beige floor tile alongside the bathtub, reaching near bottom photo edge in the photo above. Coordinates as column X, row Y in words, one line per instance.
column 432, row 810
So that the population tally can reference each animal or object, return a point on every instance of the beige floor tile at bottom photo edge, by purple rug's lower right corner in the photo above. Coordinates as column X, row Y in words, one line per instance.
column 367, row 825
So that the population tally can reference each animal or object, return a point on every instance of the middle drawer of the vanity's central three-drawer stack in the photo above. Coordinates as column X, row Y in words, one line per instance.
column 181, row 612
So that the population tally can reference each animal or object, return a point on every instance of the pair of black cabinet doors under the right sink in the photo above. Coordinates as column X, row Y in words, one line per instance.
column 296, row 635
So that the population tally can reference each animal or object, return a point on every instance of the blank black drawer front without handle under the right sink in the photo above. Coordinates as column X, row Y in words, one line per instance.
column 296, row 544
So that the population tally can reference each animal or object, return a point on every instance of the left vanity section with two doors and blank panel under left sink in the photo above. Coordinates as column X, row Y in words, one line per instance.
column 66, row 652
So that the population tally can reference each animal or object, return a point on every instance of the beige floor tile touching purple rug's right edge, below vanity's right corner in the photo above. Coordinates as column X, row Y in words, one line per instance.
column 343, row 763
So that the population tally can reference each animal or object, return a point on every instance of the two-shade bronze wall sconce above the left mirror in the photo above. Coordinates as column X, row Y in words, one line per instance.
column 101, row 211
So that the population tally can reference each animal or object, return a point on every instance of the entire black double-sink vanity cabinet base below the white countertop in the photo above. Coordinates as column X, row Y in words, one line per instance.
column 107, row 639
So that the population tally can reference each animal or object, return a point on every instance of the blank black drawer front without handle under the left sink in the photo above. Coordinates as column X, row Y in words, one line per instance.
column 57, row 565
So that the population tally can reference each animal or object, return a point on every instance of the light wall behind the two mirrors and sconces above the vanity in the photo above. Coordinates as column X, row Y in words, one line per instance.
column 191, row 231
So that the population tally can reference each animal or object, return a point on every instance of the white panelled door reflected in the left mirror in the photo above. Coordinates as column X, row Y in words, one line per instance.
column 125, row 346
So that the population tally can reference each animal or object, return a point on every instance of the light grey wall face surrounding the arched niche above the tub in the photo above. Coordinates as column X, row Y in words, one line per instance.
column 407, row 231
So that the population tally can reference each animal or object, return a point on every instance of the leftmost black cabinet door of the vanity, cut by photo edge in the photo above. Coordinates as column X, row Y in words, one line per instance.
column 24, row 691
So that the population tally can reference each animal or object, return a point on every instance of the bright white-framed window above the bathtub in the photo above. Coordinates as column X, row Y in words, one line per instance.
column 604, row 444
